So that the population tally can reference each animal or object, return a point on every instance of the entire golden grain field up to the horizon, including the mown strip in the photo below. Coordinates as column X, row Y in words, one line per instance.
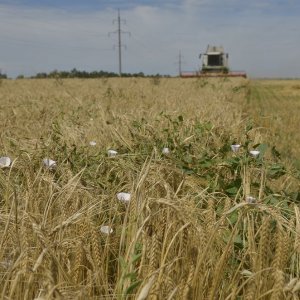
column 202, row 221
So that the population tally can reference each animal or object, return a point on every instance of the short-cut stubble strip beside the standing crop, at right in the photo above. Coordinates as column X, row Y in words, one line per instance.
column 275, row 106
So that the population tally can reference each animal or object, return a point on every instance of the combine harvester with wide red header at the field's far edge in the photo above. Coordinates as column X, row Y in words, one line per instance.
column 214, row 64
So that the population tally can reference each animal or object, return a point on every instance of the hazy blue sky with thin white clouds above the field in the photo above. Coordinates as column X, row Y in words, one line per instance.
column 261, row 36
